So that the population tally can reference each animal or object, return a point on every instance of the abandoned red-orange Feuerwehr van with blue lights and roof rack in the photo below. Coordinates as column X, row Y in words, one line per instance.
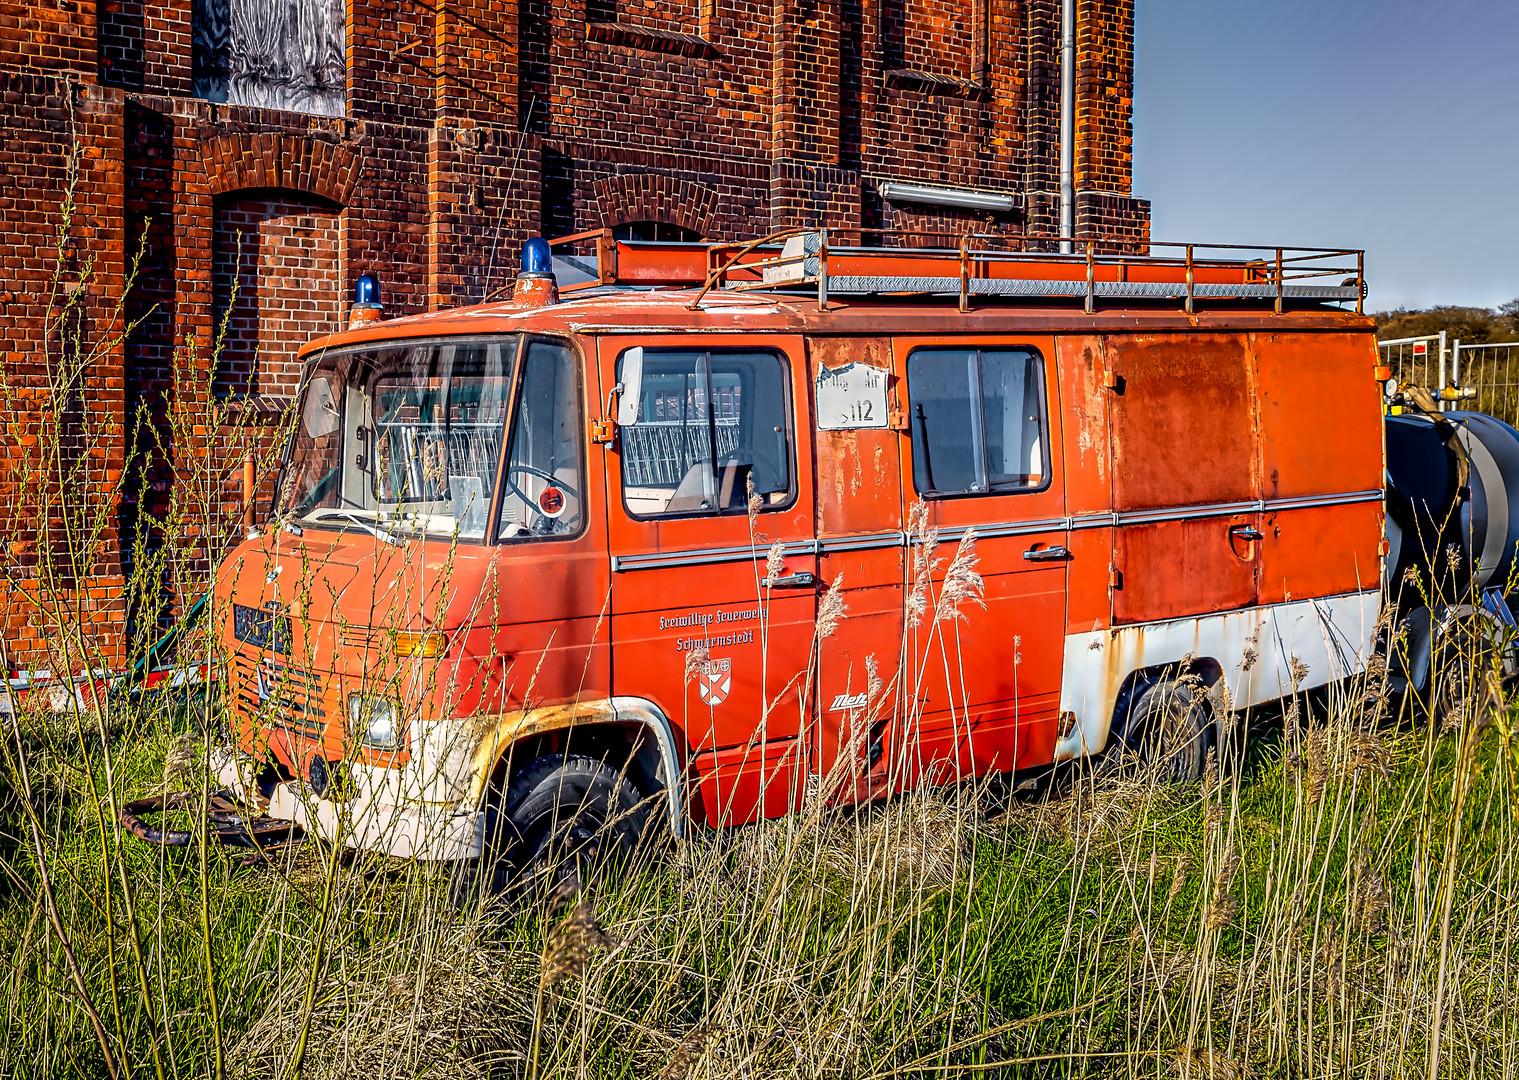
column 552, row 566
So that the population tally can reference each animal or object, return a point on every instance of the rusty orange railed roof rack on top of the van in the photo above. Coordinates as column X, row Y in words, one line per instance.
column 968, row 267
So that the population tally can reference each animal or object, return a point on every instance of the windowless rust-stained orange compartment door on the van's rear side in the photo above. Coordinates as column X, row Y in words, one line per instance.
column 1186, row 469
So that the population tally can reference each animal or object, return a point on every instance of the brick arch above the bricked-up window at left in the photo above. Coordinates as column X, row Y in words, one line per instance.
column 270, row 160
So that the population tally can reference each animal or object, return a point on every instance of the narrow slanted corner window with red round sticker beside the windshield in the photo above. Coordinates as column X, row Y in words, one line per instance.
column 545, row 482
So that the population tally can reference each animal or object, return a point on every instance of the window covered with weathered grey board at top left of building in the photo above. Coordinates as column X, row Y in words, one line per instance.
column 271, row 54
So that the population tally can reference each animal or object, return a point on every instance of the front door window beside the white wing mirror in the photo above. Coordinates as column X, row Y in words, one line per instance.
column 709, row 426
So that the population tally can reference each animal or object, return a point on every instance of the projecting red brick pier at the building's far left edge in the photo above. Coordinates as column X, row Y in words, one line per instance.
column 62, row 459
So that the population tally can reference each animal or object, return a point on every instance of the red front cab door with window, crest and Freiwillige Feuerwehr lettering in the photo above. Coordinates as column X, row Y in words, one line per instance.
column 703, row 484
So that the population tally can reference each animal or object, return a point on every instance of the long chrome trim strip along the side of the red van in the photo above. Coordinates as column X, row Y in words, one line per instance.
column 991, row 531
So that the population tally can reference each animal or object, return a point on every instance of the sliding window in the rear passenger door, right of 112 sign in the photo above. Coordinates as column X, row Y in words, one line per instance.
column 979, row 420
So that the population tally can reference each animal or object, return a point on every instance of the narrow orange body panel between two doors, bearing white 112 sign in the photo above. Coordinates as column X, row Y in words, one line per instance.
column 861, row 552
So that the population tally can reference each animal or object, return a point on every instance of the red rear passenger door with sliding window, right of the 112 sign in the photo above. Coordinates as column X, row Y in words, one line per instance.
column 984, row 684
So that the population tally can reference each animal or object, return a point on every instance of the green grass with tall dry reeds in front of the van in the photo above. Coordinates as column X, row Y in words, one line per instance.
column 1339, row 905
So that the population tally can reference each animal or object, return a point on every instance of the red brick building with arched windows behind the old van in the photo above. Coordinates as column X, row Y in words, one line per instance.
column 425, row 142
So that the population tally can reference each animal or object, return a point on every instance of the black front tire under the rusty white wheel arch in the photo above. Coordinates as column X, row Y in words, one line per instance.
column 560, row 818
